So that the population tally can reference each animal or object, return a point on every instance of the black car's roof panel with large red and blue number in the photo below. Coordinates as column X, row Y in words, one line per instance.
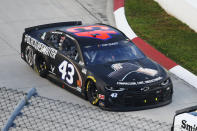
column 87, row 35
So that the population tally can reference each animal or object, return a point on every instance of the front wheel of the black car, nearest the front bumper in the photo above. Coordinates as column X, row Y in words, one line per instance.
column 92, row 92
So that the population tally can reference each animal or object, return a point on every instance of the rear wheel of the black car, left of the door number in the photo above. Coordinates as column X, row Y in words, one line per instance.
column 40, row 65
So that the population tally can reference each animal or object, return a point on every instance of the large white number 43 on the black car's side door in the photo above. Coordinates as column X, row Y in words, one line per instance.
column 67, row 71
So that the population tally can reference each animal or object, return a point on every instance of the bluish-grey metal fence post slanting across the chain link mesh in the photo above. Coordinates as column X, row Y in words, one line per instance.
column 18, row 108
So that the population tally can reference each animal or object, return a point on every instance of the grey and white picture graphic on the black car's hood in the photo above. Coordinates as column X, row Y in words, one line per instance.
column 122, row 70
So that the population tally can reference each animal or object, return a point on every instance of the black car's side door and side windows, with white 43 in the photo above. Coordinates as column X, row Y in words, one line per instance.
column 65, row 66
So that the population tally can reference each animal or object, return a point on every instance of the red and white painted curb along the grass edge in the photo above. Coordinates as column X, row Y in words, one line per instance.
column 122, row 24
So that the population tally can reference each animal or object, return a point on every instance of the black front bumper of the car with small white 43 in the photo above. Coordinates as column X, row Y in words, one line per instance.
column 129, row 100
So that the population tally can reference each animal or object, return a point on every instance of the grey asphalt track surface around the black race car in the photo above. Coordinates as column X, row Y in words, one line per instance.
column 15, row 73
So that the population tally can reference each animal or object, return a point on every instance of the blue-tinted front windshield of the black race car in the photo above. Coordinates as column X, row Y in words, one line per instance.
column 111, row 52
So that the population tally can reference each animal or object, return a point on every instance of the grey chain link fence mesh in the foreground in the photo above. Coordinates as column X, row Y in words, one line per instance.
column 43, row 114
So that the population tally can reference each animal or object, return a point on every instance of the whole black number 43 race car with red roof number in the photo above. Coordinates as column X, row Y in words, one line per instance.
column 99, row 62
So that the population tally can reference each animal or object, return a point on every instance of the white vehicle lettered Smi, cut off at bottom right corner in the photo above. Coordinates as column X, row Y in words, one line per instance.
column 185, row 120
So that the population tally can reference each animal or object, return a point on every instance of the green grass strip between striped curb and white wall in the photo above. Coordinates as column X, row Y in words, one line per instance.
column 164, row 32
